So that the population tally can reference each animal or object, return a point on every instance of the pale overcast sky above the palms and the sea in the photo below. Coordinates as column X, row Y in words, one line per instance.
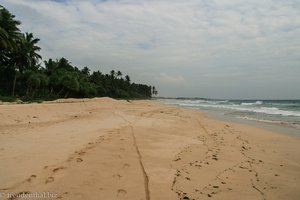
column 226, row 49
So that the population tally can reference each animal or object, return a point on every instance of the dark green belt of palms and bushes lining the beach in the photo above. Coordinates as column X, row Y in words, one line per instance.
column 22, row 76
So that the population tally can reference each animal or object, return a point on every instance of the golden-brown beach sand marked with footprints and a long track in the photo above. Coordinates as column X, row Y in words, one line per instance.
column 106, row 149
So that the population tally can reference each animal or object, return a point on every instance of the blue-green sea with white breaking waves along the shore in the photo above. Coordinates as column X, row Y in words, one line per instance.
column 284, row 113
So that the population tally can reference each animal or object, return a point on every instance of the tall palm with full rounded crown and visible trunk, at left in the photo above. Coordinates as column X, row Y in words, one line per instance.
column 25, row 55
